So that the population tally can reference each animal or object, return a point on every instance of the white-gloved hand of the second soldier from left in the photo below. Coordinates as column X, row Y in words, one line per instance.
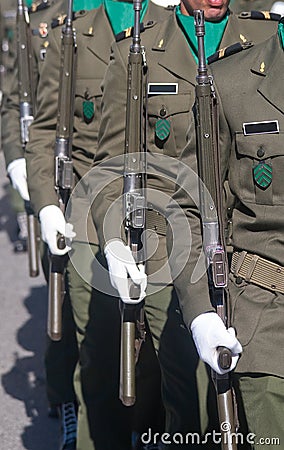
column 53, row 222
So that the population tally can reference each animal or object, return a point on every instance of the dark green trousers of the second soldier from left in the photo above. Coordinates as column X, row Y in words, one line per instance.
column 104, row 423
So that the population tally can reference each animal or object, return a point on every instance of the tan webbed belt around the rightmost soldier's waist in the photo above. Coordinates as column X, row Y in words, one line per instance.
column 259, row 271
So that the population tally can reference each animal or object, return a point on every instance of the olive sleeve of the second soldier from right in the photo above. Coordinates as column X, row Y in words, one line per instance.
column 105, row 178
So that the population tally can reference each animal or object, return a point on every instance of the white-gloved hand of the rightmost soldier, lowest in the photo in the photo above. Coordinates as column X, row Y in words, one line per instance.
column 209, row 332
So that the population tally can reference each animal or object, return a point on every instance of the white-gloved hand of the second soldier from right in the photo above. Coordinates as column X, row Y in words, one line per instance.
column 121, row 265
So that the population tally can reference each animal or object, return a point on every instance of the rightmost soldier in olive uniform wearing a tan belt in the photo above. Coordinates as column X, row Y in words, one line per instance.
column 251, row 137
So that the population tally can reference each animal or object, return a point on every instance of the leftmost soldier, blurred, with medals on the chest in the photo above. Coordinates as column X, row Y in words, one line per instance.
column 60, row 357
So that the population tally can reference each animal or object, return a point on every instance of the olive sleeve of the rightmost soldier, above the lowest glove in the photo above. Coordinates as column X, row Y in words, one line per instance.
column 184, row 236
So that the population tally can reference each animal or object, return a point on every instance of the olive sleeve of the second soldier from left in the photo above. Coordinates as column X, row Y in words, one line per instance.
column 40, row 149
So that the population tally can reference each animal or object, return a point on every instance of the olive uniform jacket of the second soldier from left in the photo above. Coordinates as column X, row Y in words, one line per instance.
column 94, row 37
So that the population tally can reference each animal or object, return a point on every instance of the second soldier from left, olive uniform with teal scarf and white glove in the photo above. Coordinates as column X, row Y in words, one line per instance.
column 103, row 422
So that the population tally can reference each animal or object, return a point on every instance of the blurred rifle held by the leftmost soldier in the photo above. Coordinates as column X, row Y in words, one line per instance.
column 27, row 102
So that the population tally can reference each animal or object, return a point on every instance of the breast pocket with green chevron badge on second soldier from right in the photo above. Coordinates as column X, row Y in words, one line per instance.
column 168, row 121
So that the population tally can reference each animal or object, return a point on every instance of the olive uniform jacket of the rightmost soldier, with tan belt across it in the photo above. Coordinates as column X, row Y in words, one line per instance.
column 256, row 313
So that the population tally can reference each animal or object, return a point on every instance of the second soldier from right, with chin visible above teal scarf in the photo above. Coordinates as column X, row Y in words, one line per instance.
column 171, row 60
